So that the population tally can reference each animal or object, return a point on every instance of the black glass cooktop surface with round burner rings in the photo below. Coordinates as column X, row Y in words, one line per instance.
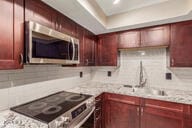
column 49, row 108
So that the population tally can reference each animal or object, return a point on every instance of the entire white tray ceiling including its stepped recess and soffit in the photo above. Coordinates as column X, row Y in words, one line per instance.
column 101, row 16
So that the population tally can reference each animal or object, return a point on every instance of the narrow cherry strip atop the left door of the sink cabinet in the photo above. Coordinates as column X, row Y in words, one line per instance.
column 123, row 98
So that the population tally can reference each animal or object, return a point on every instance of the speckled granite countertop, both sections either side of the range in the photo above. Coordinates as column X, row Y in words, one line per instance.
column 9, row 119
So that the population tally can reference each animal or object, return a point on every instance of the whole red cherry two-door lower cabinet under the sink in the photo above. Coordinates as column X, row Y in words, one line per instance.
column 132, row 112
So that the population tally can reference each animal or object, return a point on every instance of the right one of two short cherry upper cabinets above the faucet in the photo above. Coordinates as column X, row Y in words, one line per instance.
column 155, row 36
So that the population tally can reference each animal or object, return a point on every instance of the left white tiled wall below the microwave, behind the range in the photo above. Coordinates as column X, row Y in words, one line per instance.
column 36, row 81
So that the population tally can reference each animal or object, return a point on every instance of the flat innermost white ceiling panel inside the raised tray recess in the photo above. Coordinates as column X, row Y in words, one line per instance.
column 125, row 5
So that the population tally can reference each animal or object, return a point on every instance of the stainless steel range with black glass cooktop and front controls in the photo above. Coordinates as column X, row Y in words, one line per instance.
column 61, row 110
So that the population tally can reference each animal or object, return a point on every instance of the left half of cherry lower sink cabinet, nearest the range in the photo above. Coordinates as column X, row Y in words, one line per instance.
column 121, row 111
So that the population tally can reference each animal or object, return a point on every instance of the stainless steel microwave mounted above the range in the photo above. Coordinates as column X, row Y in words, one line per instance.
column 47, row 46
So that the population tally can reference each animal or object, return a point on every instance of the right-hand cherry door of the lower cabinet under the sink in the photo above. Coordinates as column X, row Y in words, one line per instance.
column 159, row 114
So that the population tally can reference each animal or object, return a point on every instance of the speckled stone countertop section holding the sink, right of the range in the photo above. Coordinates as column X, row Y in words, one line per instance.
column 184, row 97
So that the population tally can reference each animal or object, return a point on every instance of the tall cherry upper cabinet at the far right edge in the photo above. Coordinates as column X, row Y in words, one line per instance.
column 181, row 44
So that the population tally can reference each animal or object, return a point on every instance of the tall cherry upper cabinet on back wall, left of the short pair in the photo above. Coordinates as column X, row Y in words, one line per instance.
column 107, row 50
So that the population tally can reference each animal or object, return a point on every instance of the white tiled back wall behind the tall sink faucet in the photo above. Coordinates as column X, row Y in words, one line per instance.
column 155, row 66
